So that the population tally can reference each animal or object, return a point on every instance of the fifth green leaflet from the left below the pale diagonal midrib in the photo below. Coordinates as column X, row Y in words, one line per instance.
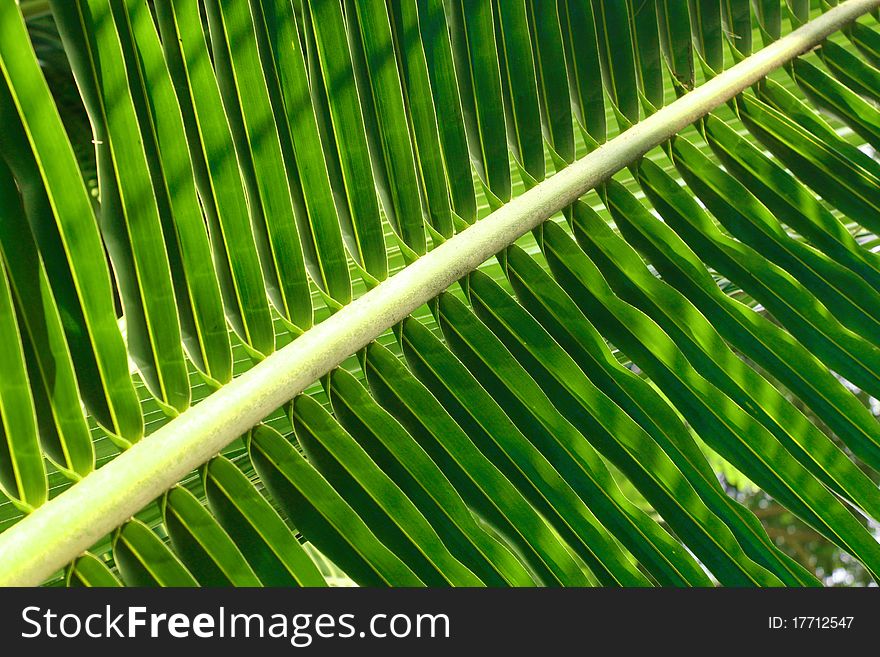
column 319, row 511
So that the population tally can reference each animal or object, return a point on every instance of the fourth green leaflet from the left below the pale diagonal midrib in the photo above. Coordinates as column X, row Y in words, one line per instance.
column 271, row 549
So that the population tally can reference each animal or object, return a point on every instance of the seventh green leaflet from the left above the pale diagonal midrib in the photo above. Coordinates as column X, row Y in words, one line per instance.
column 244, row 86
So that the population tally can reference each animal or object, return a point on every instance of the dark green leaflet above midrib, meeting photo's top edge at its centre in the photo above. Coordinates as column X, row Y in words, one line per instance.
column 434, row 34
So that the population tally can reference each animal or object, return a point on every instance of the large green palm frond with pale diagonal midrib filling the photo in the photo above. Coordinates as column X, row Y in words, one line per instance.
column 329, row 297
